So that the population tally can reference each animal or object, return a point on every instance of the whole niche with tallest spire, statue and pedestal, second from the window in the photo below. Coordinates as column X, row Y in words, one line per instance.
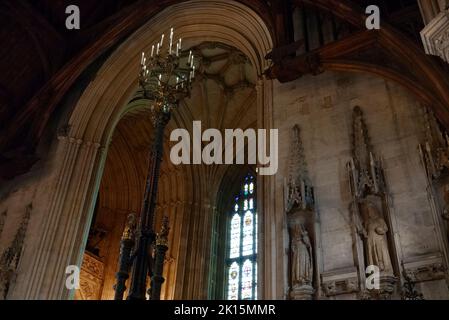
column 373, row 241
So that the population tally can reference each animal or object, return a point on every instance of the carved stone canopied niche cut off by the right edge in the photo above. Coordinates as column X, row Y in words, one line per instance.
column 434, row 153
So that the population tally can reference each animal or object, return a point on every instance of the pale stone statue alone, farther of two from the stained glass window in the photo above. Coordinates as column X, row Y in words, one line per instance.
column 377, row 245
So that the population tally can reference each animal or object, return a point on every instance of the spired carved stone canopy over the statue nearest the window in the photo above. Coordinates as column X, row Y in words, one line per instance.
column 298, row 188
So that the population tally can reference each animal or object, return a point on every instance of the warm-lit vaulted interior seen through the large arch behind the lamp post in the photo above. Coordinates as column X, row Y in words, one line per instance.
column 223, row 97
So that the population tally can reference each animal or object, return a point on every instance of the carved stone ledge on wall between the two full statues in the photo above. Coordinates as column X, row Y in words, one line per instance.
column 340, row 282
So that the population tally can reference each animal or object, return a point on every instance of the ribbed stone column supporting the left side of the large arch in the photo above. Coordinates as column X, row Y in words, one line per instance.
column 64, row 233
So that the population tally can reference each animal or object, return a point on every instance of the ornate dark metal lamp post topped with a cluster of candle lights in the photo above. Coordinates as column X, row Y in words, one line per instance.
column 165, row 78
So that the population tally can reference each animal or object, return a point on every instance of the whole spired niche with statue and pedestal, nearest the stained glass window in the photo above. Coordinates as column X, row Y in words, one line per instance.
column 301, row 217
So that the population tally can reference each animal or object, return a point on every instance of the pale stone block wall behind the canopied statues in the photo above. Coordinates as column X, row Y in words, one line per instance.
column 322, row 107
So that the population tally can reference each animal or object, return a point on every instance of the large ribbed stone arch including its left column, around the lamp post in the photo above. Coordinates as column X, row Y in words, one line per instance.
column 82, row 151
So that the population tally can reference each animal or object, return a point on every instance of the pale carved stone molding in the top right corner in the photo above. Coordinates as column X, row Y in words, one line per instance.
column 435, row 36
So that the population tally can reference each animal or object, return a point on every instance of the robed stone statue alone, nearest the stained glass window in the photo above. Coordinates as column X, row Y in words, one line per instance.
column 301, row 249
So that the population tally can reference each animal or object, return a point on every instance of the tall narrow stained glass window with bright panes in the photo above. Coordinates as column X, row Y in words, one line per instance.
column 242, row 253
